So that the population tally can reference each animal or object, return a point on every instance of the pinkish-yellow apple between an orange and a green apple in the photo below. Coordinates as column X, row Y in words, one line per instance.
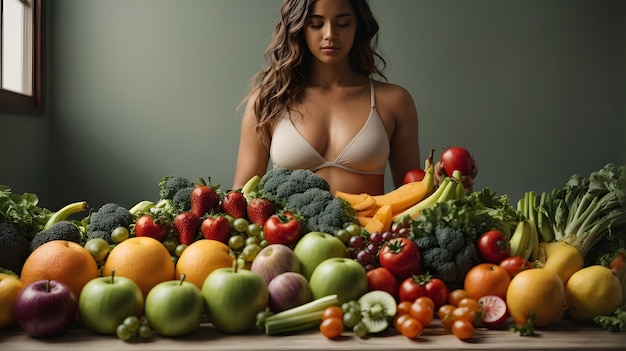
column 273, row 260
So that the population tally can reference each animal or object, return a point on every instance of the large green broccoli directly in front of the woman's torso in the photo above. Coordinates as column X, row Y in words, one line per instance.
column 307, row 195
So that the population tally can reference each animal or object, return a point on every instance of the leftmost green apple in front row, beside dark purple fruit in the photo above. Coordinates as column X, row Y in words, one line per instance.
column 105, row 302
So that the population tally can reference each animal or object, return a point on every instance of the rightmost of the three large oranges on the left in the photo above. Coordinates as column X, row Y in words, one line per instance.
column 201, row 258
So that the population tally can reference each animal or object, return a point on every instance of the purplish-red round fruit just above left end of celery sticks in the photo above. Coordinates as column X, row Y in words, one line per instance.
column 288, row 290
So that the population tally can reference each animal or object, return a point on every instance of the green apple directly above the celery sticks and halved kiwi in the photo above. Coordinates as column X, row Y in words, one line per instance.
column 340, row 275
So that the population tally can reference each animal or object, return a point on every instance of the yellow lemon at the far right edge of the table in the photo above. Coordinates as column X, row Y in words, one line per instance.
column 592, row 291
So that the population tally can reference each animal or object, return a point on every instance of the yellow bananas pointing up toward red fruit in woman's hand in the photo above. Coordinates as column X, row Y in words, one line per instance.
column 449, row 188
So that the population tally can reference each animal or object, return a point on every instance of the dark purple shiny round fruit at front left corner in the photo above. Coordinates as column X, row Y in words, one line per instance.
column 45, row 308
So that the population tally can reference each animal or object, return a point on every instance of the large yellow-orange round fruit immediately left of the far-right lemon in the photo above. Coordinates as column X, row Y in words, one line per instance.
column 538, row 291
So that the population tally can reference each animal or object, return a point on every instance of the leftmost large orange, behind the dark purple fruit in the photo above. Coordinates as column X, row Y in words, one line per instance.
column 64, row 261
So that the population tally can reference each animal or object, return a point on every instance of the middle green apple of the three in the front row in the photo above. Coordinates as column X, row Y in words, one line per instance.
column 174, row 307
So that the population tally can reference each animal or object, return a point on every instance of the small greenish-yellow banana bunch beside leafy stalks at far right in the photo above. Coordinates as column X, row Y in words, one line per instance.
column 533, row 228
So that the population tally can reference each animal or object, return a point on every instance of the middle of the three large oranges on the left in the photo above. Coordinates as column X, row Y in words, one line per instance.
column 144, row 260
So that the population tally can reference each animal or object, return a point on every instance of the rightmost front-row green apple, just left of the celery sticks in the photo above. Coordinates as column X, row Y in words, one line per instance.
column 233, row 298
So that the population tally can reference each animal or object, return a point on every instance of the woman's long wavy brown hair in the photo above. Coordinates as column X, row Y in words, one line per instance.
column 281, row 84
